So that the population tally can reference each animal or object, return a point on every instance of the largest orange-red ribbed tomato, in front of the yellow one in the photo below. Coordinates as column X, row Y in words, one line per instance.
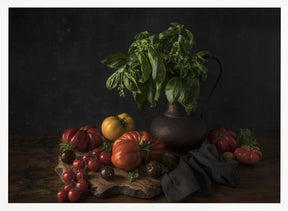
column 132, row 147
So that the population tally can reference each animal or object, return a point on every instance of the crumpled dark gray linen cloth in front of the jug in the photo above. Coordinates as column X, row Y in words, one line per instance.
column 197, row 170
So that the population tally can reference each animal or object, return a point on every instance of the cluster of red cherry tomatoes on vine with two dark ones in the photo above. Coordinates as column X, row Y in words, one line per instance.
column 75, row 180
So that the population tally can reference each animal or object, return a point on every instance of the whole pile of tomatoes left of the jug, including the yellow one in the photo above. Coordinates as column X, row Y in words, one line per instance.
column 118, row 146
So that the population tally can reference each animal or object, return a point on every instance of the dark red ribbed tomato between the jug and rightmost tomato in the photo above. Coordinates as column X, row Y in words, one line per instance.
column 224, row 140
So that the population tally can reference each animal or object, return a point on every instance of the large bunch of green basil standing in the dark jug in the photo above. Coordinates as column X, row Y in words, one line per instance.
column 160, row 64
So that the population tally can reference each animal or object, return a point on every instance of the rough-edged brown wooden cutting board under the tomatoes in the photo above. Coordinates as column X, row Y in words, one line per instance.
column 145, row 187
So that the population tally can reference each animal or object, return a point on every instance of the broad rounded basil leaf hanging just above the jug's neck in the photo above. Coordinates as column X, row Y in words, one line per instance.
column 173, row 89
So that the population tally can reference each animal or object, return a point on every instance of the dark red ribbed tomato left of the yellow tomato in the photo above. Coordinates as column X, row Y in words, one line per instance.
column 84, row 139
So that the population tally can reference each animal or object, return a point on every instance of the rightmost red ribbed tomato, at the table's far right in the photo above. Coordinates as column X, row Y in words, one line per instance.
column 248, row 155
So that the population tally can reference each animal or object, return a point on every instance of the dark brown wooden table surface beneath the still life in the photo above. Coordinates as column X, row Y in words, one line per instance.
column 32, row 178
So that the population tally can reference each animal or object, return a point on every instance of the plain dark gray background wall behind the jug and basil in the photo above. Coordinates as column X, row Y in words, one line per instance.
column 56, row 80
